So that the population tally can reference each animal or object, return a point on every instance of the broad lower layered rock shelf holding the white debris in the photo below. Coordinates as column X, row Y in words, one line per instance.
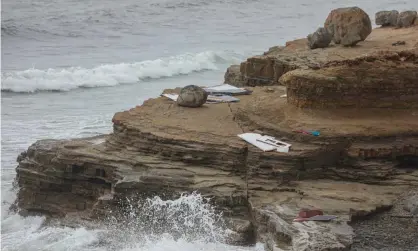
column 361, row 162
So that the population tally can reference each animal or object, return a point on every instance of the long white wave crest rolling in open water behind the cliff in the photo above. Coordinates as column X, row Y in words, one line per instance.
column 33, row 80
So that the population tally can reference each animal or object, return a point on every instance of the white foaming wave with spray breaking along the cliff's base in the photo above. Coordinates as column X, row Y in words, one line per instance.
column 187, row 223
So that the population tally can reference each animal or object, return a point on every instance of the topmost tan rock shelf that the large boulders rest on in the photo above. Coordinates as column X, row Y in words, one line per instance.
column 267, row 69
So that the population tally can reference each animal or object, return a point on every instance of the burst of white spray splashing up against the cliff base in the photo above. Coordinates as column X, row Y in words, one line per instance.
column 190, row 218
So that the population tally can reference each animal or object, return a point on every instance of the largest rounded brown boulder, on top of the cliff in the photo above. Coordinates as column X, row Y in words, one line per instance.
column 348, row 25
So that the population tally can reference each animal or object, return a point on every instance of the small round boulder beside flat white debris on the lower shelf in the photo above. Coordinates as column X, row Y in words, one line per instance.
column 192, row 96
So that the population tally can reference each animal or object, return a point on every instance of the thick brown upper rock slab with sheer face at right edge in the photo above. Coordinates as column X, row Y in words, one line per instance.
column 382, row 80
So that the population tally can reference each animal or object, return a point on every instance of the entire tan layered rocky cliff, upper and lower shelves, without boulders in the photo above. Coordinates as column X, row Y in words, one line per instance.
column 361, row 163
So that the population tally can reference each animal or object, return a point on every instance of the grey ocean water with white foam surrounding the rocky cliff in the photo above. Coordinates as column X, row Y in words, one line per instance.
column 68, row 66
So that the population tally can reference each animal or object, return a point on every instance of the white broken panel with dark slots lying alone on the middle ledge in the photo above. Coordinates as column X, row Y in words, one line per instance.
column 265, row 143
